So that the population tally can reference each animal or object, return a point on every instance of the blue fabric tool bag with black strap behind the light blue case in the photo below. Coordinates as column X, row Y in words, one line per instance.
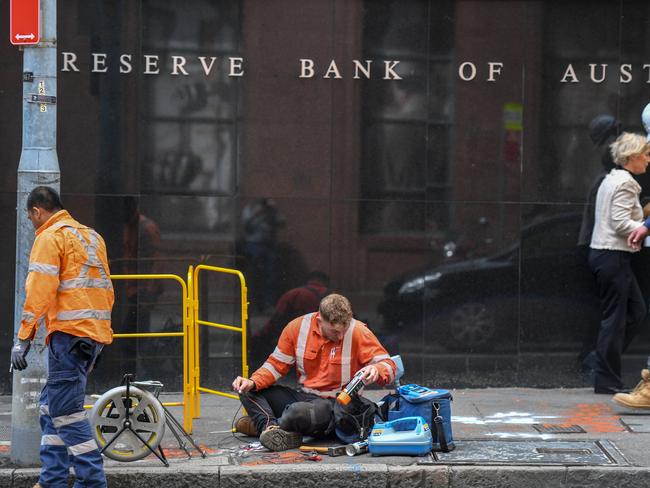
column 433, row 405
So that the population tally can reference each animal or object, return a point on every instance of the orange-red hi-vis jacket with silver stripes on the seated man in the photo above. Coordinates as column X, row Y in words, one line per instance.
column 324, row 367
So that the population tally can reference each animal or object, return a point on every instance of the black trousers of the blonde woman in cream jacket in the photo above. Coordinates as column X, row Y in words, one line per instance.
column 623, row 310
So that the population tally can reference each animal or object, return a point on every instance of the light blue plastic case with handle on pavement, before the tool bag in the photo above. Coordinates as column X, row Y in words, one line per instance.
column 409, row 436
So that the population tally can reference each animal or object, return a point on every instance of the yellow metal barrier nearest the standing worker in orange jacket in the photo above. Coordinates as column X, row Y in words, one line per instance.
column 185, row 334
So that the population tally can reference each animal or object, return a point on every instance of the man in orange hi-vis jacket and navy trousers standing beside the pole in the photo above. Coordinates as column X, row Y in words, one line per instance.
column 68, row 288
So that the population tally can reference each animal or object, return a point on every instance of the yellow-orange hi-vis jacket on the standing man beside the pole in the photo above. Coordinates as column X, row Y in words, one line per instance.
column 68, row 284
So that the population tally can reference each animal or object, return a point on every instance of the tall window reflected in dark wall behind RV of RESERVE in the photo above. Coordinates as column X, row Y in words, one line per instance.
column 191, row 122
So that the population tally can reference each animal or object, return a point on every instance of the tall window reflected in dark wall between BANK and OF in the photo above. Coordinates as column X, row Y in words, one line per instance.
column 408, row 122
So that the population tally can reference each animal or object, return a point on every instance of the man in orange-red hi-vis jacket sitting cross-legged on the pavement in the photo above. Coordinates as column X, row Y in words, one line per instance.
column 328, row 348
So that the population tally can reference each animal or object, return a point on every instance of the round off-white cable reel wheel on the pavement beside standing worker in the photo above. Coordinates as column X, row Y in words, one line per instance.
column 146, row 415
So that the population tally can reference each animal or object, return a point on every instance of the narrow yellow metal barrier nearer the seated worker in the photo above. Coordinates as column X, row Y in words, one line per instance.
column 197, row 320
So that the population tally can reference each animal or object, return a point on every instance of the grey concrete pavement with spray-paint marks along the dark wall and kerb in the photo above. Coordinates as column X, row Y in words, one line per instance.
column 498, row 443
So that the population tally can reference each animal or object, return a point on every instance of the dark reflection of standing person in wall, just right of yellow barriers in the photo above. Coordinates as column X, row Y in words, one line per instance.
column 261, row 220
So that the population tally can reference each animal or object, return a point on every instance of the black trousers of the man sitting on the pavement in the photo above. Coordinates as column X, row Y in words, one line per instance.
column 267, row 406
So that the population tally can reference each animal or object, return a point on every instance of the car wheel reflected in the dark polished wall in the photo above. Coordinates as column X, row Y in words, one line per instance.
column 470, row 324
